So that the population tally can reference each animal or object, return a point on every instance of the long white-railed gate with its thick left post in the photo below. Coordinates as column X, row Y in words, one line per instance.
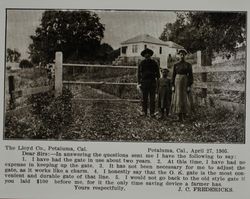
column 106, row 82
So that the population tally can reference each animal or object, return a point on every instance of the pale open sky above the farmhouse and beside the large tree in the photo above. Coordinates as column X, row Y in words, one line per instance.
column 119, row 26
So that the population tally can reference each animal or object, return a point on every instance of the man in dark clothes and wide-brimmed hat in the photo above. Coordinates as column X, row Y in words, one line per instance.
column 148, row 75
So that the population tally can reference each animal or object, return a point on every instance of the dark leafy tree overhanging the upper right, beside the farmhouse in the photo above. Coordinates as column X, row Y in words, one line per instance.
column 208, row 31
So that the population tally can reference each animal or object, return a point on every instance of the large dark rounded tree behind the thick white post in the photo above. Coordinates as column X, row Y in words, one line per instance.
column 75, row 33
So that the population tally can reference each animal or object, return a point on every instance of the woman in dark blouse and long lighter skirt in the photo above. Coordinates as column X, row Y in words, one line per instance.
column 182, row 81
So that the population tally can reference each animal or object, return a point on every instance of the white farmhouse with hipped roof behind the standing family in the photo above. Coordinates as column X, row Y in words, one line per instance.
column 130, row 51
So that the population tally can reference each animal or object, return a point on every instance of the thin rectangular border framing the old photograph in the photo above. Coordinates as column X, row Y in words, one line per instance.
column 132, row 10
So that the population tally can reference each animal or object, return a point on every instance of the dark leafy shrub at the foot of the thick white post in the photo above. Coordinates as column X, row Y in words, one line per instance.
column 55, row 113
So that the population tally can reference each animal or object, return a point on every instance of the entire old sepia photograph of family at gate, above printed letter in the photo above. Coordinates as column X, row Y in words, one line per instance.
column 125, row 76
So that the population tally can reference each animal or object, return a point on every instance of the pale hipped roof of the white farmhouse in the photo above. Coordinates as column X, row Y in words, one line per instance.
column 150, row 39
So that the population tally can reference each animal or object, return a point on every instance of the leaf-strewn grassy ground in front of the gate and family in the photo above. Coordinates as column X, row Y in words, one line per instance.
column 120, row 121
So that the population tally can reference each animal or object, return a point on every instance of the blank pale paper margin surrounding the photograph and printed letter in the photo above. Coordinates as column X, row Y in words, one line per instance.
column 242, row 150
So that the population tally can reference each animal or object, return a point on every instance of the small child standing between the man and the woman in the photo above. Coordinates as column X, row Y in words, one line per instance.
column 164, row 93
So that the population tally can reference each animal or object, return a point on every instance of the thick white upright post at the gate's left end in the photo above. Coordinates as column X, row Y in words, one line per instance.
column 58, row 73
